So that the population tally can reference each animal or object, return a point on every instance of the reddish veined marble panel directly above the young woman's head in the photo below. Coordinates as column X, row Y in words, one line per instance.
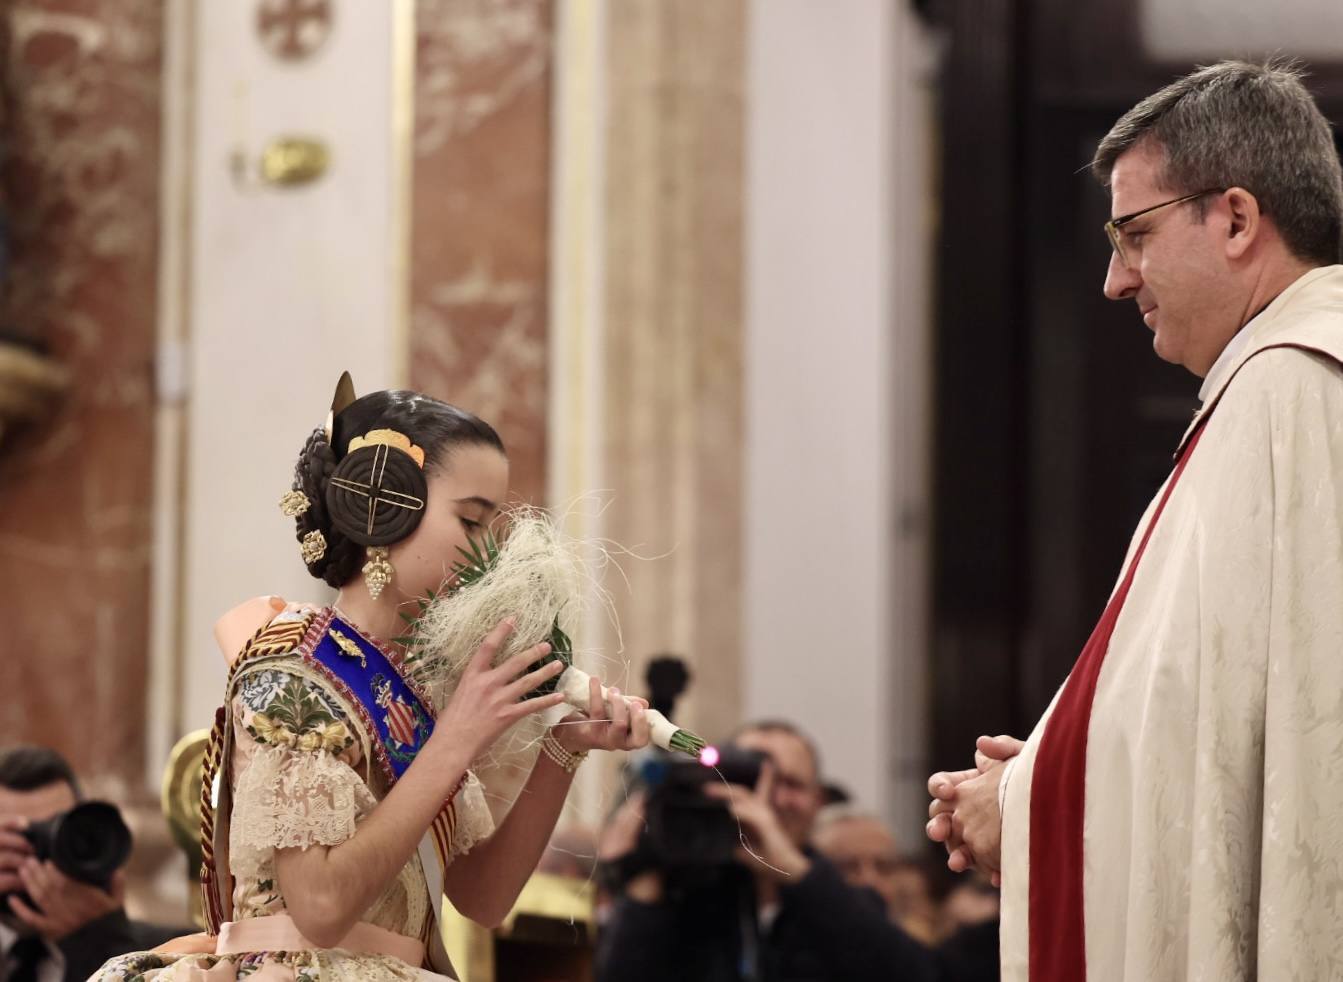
column 480, row 226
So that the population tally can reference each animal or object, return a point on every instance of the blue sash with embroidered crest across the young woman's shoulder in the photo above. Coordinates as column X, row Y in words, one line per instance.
column 391, row 710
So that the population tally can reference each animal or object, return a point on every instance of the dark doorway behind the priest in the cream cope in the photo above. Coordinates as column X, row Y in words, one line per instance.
column 1055, row 421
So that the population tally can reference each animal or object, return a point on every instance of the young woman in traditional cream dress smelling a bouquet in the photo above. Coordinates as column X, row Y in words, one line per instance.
column 343, row 804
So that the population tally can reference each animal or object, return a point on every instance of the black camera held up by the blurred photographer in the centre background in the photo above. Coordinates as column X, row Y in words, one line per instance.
column 687, row 830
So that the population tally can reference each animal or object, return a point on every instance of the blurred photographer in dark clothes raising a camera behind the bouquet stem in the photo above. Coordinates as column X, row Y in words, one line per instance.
column 777, row 913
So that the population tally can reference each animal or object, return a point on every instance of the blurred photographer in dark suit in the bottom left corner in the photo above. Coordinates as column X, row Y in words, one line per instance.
column 53, row 928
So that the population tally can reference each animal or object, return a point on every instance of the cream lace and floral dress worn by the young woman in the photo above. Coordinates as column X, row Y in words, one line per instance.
column 303, row 777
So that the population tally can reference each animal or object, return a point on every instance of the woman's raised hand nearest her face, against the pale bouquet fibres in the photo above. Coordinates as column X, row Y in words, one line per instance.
column 490, row 701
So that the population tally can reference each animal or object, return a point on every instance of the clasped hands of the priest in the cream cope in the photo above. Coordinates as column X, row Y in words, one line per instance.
column 965, row 815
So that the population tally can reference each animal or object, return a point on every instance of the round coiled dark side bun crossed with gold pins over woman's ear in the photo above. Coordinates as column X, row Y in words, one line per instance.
column 377, row 496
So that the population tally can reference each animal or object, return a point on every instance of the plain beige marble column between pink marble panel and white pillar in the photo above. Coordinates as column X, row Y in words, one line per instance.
column 672, row 369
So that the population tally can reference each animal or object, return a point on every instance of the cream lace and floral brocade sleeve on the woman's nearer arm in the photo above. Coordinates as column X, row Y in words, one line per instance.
column 296, row 784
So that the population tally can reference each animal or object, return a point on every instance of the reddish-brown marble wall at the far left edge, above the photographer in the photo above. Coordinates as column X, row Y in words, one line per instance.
column 81, row 178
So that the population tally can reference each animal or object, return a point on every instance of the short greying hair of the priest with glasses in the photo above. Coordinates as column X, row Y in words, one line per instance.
column 1243, row 126
